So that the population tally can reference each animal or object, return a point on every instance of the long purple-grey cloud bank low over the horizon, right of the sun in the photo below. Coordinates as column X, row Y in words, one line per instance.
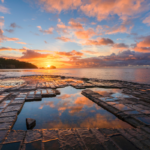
column 124, row 58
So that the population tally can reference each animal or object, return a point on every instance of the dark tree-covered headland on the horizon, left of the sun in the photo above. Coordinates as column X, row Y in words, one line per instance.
column 15, row 64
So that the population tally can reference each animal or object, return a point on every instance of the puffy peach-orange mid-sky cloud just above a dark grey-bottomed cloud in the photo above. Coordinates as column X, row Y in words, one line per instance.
column 85, row 34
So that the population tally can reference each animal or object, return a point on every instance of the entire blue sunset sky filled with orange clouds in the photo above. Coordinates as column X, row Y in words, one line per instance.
column 76, row 33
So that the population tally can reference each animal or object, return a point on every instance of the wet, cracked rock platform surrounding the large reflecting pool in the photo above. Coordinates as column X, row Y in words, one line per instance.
column 134, row 110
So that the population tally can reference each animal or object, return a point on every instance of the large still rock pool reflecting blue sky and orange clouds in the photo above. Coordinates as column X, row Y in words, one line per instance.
column 68, row 110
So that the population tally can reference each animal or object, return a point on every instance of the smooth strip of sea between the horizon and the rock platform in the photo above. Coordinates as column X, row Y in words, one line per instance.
column 140, row 75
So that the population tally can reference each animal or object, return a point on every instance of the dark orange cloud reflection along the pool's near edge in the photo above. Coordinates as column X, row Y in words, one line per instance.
column 97, row 120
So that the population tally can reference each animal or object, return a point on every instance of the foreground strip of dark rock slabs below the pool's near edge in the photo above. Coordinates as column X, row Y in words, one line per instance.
column 72, row 139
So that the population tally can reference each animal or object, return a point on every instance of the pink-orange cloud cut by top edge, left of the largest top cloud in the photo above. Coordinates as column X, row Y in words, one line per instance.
column 59, row 5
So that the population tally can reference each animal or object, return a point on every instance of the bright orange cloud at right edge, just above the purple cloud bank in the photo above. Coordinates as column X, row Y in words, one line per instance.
column 144, row 45
